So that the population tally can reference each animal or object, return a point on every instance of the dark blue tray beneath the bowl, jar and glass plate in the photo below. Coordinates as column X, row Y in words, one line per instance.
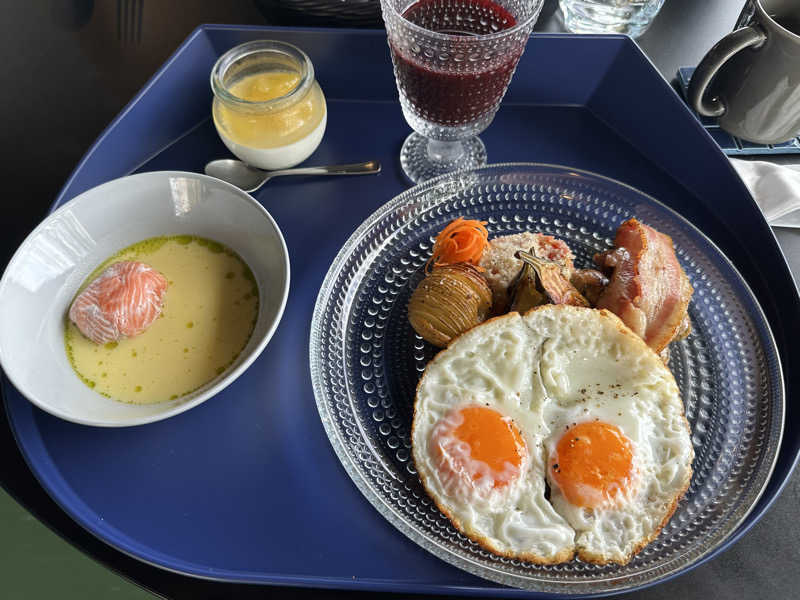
column 246, row 487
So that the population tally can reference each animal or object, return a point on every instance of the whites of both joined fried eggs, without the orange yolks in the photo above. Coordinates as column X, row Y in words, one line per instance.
column 552, row 368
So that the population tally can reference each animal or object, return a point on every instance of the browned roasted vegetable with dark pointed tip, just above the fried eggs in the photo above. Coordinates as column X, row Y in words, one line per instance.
column 549, row 281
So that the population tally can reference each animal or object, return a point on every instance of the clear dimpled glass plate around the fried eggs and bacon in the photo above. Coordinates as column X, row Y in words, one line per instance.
column 366, row 360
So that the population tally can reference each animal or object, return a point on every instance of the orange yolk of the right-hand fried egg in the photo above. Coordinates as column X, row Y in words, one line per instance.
column 593, row 461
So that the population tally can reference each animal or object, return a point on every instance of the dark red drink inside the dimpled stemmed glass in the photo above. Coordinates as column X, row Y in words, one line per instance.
column 464, row 86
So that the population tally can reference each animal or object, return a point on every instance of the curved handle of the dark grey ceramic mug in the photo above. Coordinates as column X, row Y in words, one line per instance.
column 751, row 36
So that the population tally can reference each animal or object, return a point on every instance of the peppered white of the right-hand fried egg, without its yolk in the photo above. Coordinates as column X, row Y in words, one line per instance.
column 593, row 369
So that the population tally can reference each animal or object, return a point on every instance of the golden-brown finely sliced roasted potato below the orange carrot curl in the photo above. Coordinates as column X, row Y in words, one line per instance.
column 449, row 301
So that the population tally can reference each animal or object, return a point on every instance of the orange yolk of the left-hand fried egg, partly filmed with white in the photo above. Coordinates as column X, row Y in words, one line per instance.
column 490, row 438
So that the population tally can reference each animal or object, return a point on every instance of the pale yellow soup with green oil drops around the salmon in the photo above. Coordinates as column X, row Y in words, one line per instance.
column 210, row 309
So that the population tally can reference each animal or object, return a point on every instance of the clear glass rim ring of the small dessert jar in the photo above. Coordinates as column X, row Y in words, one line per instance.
column 248, row 49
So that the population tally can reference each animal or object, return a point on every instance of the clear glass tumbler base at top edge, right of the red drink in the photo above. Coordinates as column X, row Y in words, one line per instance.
column 632, row 17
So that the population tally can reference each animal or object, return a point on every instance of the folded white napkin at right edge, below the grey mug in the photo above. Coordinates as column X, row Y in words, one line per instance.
column 775, row 188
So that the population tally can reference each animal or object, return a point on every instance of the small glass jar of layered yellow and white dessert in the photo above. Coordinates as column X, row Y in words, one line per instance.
column 268, row 108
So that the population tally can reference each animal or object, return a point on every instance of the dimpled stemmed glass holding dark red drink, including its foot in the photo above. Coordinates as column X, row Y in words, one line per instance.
column 453, row 60
